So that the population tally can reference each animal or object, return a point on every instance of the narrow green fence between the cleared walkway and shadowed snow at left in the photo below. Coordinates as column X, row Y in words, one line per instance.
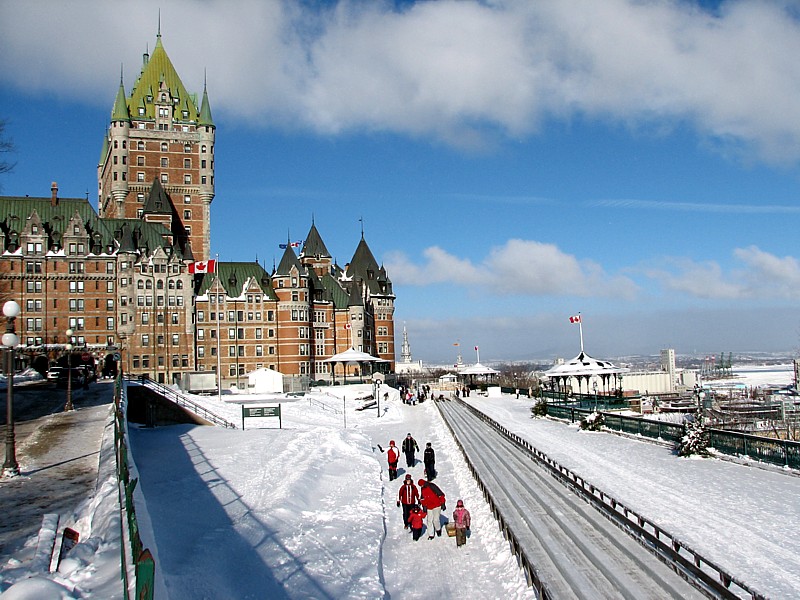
column 144, row 567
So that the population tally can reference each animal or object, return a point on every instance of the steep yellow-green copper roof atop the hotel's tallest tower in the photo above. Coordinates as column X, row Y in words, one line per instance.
column 158, row 70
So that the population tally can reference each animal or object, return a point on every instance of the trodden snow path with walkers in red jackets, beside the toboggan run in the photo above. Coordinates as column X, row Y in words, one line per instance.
column 437, row 568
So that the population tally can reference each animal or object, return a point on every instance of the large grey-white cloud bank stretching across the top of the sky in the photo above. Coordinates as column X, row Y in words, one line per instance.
column 448, row 70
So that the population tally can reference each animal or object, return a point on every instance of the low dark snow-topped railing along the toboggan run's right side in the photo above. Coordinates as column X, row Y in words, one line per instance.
column 667, row 547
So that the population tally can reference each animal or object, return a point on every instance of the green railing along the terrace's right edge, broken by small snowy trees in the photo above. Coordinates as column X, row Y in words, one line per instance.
column 783, row 453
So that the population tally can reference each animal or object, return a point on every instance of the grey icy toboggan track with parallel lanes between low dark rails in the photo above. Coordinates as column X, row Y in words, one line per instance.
column 577, row 552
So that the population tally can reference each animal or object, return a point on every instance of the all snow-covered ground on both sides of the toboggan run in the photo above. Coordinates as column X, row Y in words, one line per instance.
column 307, row 511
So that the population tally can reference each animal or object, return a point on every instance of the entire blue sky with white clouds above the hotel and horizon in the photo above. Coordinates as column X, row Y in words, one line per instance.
column 514, row 163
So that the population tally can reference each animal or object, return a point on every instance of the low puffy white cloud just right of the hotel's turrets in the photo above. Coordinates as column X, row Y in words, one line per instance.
column 519, row 267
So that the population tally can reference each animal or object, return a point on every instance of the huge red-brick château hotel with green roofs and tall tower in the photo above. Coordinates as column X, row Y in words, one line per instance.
column 121, row 278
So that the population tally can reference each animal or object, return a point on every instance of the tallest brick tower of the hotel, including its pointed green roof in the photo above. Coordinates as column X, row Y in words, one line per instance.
column 160, row 132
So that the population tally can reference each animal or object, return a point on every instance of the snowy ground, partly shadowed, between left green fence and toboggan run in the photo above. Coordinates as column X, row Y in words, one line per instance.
column 308, row 511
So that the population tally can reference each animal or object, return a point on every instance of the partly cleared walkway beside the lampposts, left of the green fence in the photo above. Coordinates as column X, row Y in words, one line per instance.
column 58, row 456
